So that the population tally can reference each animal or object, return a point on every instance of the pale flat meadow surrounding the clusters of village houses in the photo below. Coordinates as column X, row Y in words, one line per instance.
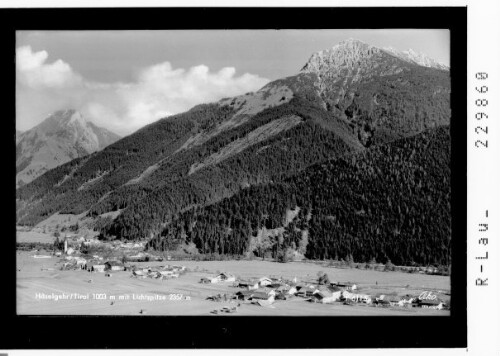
column 185, row 296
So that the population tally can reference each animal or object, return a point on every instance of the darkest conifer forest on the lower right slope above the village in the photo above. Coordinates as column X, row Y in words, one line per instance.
column 389, row 203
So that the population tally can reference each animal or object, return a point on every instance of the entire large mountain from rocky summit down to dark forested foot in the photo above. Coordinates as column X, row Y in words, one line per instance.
column 349, row 108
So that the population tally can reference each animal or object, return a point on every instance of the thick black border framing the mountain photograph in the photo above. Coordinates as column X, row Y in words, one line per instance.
column 51, row 332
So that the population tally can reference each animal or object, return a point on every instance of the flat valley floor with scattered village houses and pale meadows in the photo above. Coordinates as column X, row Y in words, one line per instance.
column 98, row 266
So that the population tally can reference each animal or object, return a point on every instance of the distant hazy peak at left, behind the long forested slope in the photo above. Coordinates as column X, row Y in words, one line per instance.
column 61, row 137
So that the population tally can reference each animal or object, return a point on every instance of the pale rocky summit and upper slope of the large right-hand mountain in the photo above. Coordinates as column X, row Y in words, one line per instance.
column 377, row 93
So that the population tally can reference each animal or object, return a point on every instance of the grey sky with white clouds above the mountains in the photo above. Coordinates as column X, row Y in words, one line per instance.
column 123, row 80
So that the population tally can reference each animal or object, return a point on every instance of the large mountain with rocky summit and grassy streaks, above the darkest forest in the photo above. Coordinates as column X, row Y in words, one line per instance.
column 346, row 100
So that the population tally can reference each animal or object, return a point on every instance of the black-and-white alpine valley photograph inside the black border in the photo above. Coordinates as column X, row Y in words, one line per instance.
column 233, row 172
